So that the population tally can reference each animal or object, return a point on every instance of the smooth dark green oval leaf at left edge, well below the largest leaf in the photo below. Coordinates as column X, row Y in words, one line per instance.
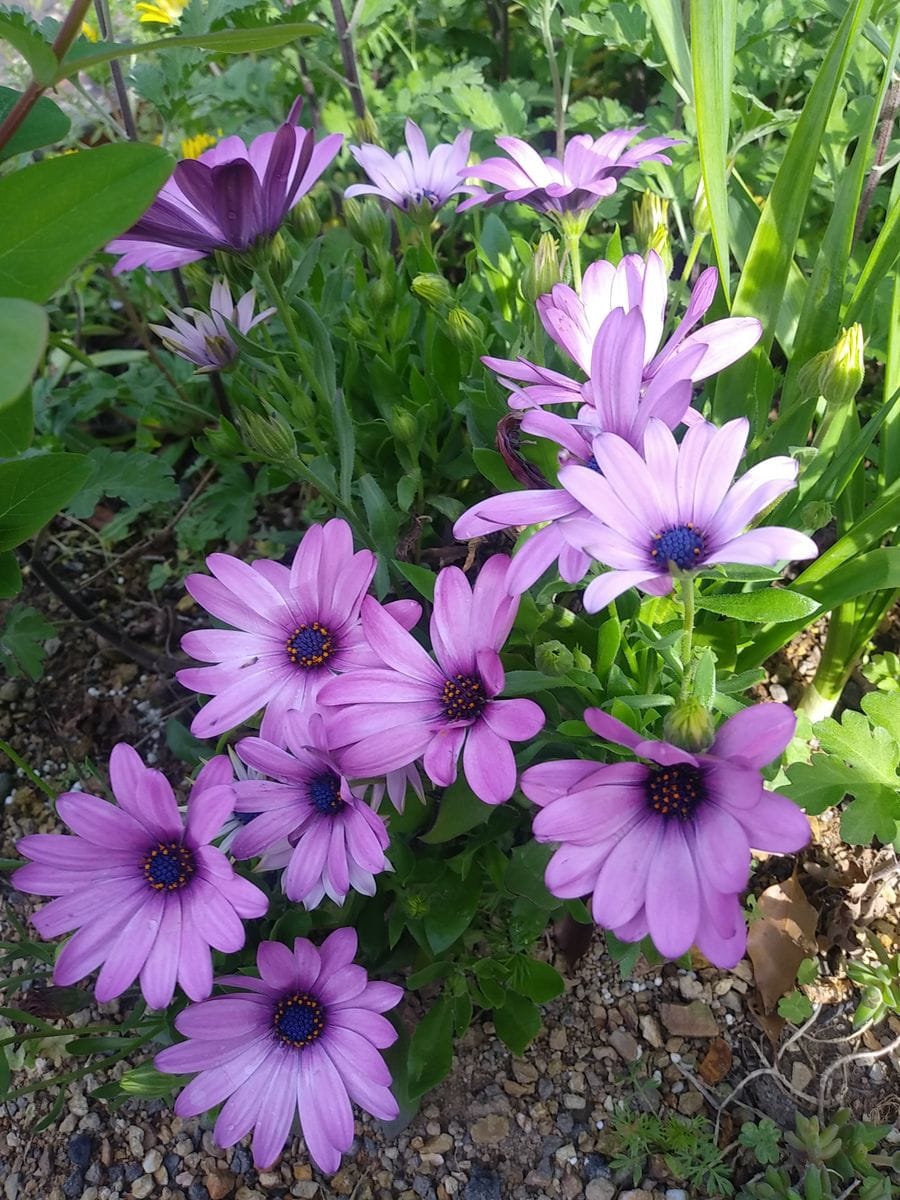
column 34, row 490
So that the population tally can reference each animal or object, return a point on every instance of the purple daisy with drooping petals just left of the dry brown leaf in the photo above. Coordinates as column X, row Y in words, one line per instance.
column 665, row 849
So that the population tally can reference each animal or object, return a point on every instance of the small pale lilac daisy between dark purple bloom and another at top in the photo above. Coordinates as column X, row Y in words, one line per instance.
column 413, row 178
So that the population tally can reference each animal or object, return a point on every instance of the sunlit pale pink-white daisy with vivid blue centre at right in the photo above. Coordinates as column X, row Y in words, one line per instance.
column 679, row 508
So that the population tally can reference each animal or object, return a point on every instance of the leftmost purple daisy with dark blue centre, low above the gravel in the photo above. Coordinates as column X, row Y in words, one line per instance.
column 147, row 893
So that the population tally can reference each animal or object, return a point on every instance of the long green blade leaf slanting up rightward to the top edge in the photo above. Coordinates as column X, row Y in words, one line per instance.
column 769, row 262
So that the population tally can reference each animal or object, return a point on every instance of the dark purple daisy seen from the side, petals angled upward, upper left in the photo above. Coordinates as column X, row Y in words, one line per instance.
column 229, row 199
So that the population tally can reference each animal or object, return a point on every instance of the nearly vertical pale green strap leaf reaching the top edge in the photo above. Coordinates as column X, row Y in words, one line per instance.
column 713, row 32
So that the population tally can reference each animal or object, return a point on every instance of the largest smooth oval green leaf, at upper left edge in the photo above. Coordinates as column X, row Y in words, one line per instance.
column 59, row 212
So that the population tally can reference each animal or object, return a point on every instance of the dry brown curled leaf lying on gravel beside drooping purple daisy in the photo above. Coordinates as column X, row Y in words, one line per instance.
column 783, row 935
